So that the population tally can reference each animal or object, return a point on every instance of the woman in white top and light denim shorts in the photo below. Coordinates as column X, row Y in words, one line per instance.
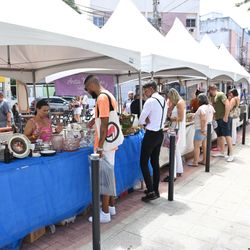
column 202, row 117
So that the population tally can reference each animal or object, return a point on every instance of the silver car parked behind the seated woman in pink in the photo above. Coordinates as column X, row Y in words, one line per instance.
column 56, row 103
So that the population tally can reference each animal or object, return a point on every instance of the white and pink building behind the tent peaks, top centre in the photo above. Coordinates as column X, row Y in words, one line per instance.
column 187, row 11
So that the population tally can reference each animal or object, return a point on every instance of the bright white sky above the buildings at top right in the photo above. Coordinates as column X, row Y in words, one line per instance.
column 227, row 7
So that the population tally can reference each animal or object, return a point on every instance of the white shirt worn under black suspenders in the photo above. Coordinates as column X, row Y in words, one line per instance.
column 154, row 111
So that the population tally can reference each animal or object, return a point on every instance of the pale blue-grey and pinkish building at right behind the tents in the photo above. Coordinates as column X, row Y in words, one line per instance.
column 225, row 30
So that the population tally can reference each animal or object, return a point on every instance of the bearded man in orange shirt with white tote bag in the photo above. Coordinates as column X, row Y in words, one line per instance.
column 102, row 111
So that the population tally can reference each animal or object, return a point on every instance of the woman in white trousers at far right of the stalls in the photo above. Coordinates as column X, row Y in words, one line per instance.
column 234, row 99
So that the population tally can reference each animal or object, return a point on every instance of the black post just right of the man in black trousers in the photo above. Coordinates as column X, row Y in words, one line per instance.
column 171, row 168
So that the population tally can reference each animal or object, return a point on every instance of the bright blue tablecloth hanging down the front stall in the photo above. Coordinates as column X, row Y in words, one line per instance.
column 36, row 192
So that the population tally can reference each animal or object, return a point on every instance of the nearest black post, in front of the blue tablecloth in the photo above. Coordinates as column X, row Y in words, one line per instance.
column 95, row 165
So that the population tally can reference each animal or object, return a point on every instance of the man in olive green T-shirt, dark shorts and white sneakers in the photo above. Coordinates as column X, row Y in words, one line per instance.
column 222, row 109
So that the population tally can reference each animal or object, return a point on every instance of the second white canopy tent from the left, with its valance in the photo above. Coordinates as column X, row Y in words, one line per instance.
column 138, row 34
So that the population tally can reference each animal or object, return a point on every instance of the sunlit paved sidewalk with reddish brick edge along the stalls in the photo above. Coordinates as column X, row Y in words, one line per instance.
column 210, row 211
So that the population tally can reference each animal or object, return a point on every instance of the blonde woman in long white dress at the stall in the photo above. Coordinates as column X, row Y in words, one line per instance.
column 178, row 120
